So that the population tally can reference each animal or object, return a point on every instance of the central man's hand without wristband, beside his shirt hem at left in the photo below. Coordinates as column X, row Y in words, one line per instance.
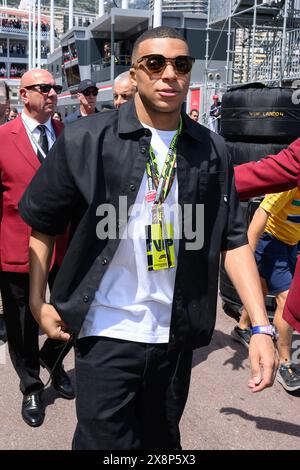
column 50, row 322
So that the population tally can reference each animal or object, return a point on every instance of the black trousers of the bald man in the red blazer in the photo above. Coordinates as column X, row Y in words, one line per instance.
column 23, row 333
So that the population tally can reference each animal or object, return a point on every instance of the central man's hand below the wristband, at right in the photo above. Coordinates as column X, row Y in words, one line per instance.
column 263, row 361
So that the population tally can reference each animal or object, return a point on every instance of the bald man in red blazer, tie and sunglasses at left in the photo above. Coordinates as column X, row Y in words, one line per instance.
column 24, row 145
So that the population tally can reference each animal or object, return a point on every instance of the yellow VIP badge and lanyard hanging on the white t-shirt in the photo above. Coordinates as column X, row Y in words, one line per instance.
column 159, row 235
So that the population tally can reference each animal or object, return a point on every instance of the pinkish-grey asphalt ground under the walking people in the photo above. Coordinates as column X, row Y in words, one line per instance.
column 221, row 413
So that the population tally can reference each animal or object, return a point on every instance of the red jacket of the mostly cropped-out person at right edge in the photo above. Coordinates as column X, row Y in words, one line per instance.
column 274, row 174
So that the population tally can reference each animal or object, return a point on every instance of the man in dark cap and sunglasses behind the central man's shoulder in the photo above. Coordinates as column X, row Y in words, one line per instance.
column 87, row 95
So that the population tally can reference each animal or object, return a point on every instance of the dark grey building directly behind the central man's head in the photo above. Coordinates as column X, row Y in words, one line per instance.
column 103, row 50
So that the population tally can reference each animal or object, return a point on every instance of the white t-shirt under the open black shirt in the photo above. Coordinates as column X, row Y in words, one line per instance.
column 132, row 303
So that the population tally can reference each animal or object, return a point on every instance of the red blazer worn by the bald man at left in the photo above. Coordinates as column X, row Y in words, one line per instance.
column 18, row 165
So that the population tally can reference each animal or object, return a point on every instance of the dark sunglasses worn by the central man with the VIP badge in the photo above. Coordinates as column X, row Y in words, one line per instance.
column 156, row 63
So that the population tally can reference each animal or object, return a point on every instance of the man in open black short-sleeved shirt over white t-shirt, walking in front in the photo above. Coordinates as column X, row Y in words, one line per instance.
column 138, row 296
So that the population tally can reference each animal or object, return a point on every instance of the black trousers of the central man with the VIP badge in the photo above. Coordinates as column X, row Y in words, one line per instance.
column 129, row 395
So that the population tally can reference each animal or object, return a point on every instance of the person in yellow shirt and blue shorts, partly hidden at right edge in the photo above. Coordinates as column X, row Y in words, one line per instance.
column 273, row 235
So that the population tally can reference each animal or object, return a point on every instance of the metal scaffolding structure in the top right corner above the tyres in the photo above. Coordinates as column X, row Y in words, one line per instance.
column 263, row 39
